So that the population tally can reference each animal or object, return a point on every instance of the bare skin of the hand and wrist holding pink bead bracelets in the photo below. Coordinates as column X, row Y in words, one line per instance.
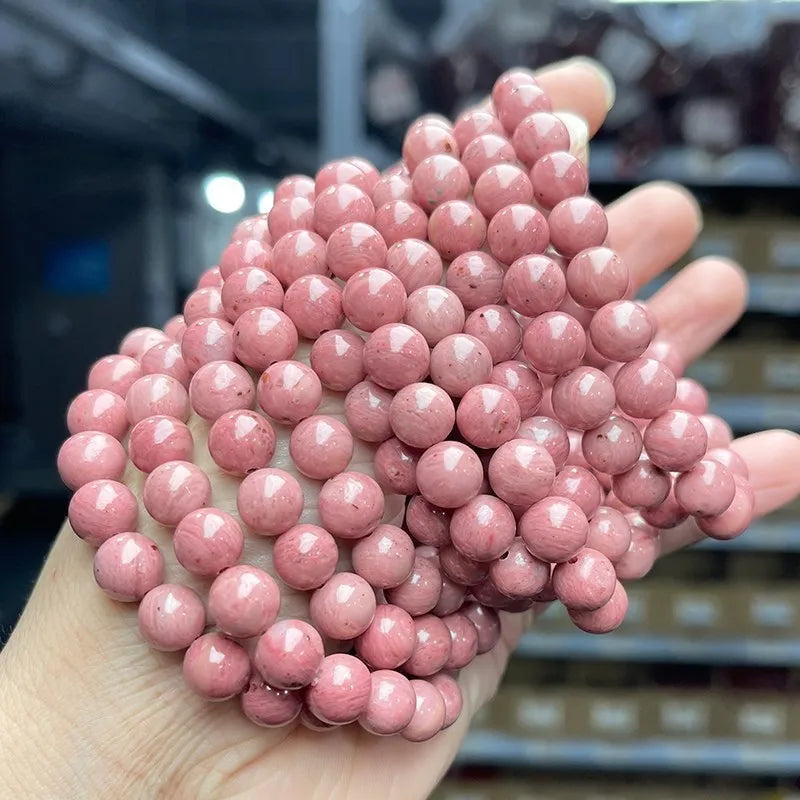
column 114, row 717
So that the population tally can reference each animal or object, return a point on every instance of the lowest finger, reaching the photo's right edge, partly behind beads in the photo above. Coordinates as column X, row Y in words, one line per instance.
column 771, row 457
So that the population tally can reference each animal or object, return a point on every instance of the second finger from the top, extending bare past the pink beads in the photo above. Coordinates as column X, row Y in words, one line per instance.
column 651, row 227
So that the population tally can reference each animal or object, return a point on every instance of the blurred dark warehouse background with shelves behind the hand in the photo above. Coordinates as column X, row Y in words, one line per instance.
column 134, row 135
